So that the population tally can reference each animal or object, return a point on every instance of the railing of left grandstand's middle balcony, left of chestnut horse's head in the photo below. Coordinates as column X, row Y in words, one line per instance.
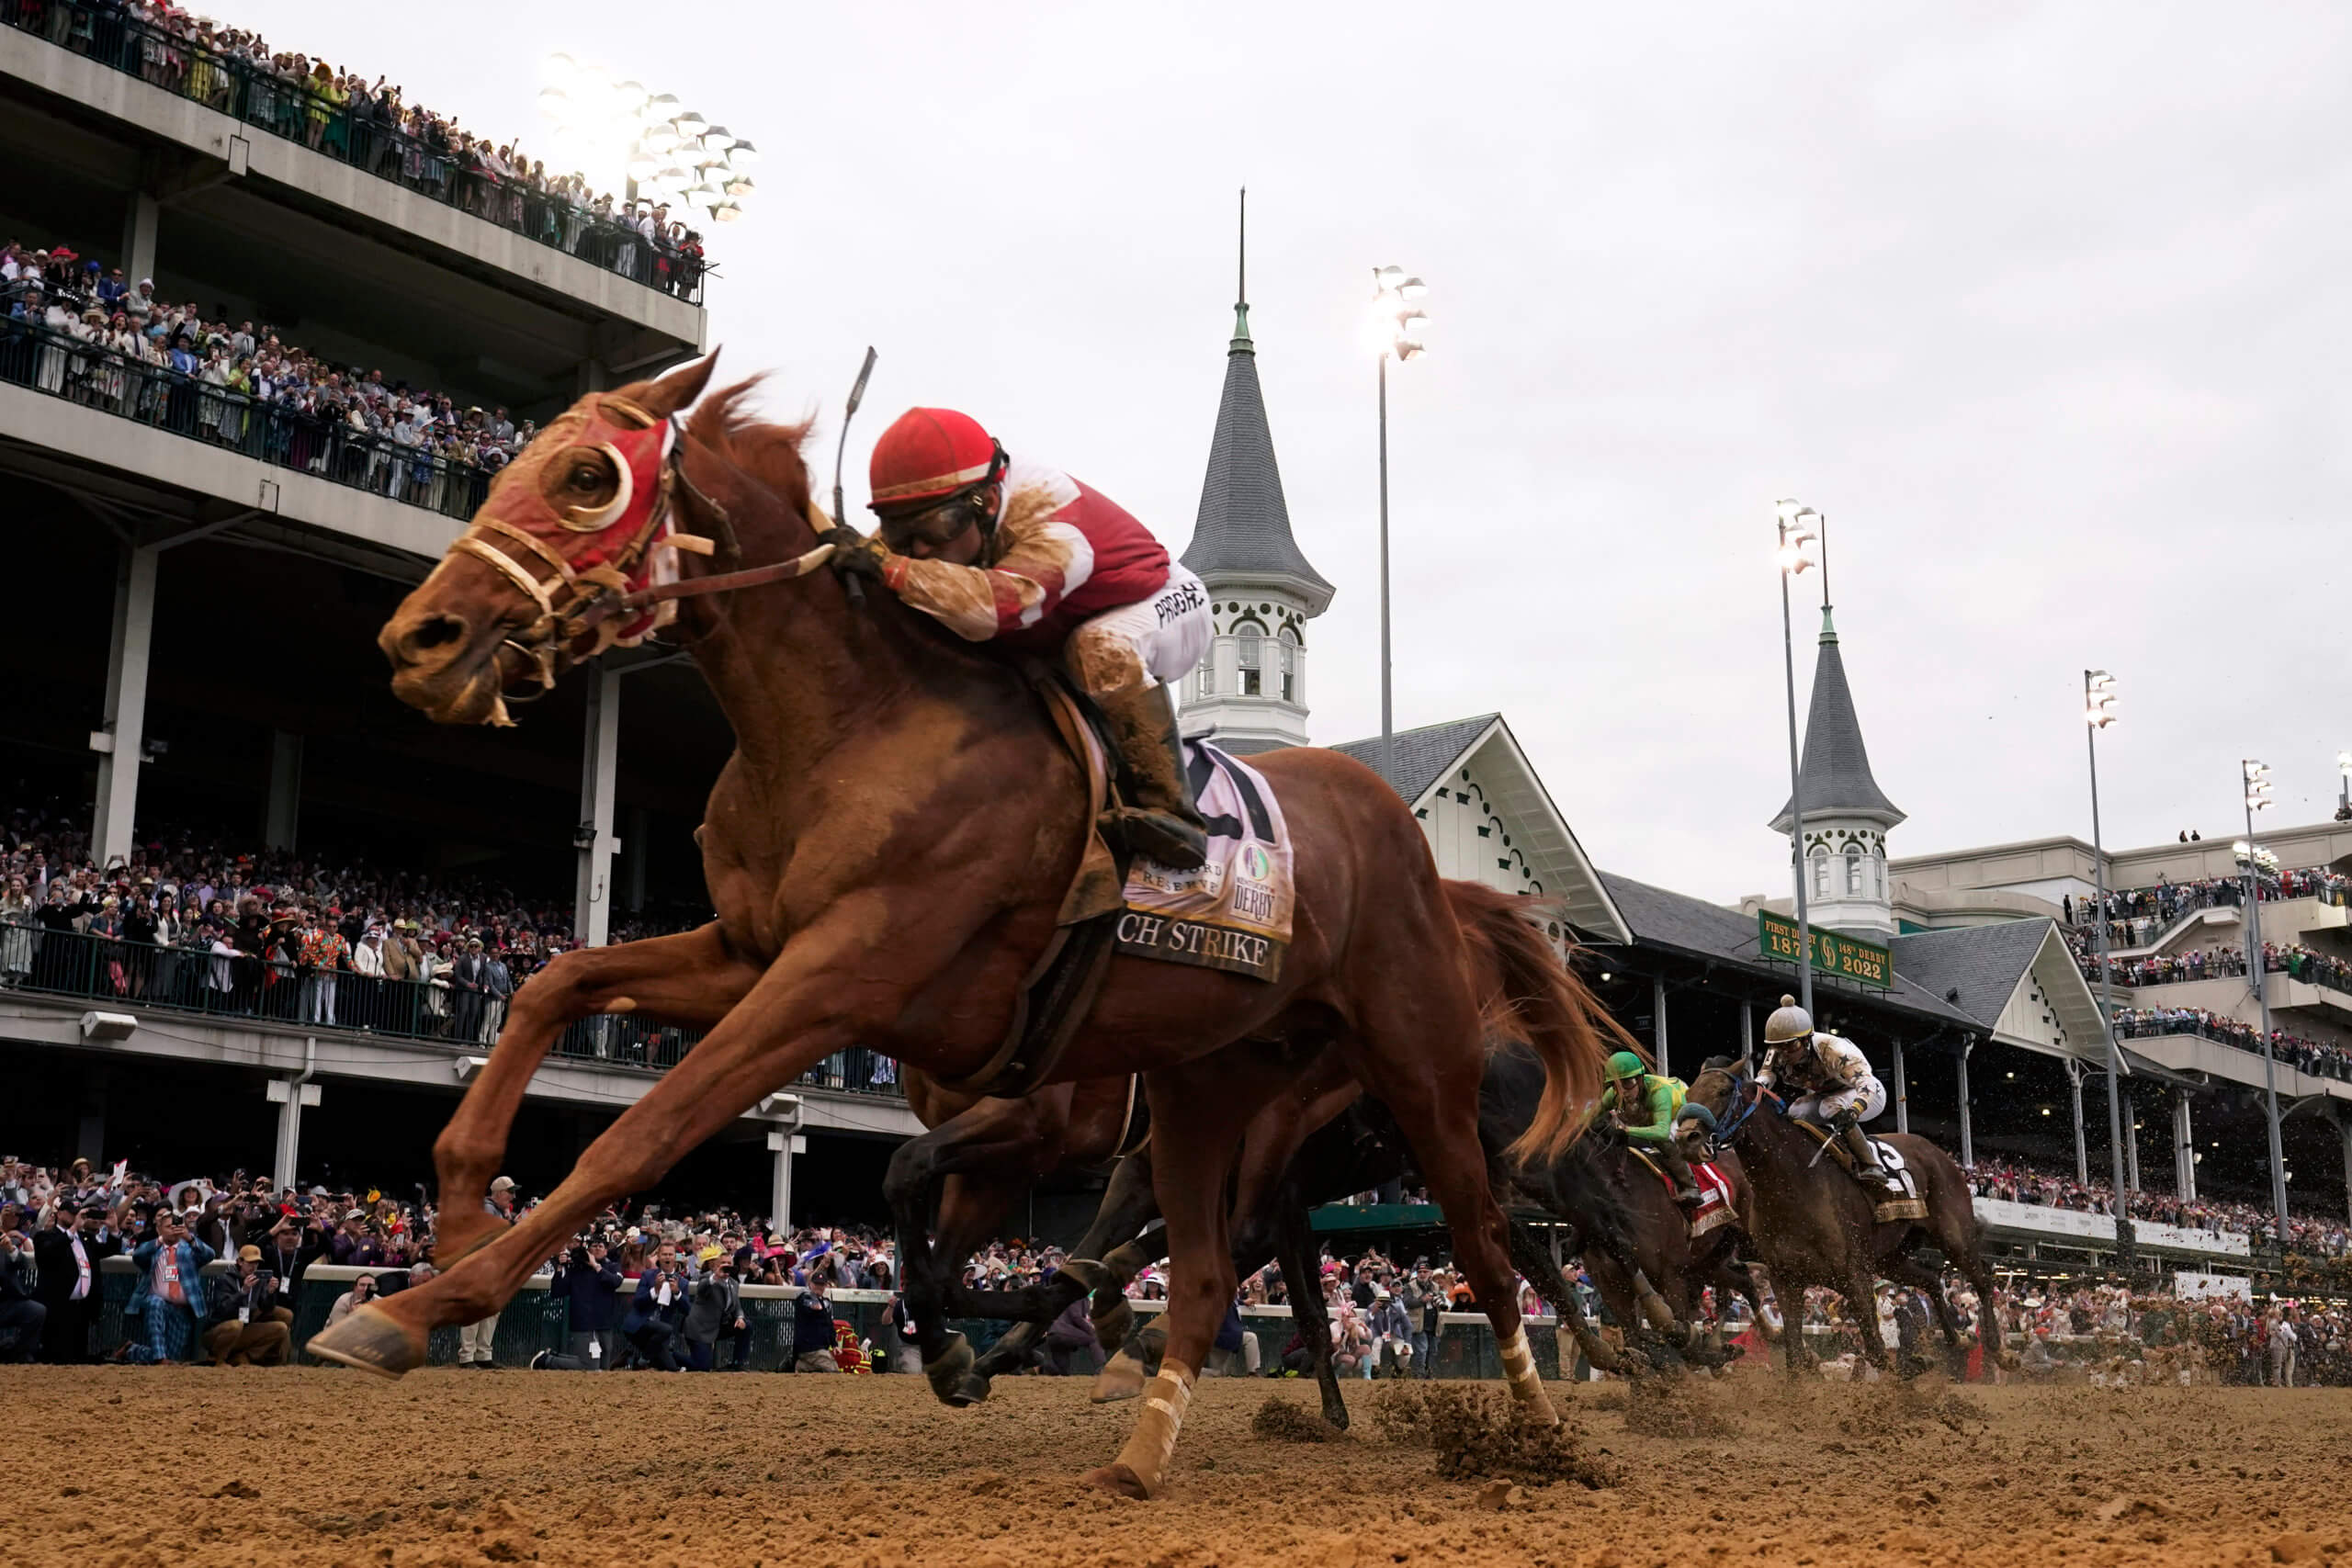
column 225, row 417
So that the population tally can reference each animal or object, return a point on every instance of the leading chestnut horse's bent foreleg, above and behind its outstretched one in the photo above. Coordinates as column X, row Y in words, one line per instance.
column 690, row 979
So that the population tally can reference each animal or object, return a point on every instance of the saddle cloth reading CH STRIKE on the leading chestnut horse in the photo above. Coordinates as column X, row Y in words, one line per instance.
column 1236, row 911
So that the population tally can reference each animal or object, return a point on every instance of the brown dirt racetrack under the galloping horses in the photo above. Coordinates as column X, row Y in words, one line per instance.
column 316, row 1466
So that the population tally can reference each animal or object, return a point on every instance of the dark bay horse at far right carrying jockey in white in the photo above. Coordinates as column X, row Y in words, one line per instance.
column 1815, row 1226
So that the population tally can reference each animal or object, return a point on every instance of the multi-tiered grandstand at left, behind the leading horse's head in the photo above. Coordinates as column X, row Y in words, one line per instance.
column 201, row 575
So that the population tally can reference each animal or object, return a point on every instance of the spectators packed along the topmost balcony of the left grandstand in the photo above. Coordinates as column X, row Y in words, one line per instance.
column 373, row 126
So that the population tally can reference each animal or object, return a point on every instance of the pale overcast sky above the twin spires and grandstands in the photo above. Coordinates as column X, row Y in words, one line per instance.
column 2045, row 307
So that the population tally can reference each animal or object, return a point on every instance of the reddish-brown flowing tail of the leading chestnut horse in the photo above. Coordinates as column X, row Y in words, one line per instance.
column 1530, row 993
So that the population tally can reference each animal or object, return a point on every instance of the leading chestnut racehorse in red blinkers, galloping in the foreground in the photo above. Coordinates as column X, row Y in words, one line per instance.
column 888, row 855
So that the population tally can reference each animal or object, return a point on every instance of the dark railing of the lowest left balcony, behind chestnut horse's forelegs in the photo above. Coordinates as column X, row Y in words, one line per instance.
column 142, row 977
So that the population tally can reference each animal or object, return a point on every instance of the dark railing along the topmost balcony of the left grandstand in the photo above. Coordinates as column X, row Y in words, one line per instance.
column 330, row 128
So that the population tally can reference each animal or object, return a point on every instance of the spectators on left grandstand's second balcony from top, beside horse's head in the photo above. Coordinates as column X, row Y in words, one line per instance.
column 86, row 333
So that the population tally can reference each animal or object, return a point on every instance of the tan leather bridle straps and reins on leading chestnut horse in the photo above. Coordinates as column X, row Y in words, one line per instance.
column 601, row 598
